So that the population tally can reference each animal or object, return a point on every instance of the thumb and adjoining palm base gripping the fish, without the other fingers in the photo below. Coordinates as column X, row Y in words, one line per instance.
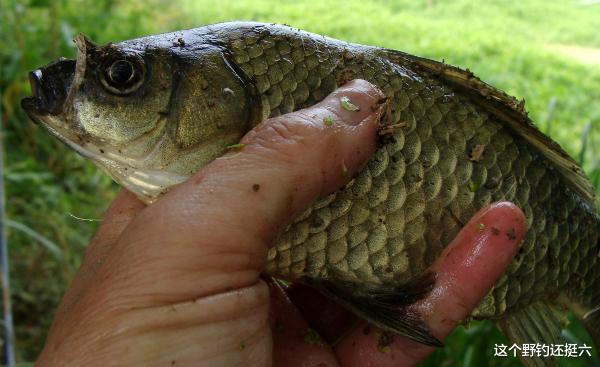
column 167, row 284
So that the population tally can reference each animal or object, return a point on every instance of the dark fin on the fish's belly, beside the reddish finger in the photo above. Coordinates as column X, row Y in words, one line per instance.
column 383, row 306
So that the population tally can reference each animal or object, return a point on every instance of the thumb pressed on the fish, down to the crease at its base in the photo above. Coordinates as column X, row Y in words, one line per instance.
column 212, row 233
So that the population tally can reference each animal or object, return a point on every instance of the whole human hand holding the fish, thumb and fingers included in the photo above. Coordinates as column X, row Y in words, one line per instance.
column 178, row 283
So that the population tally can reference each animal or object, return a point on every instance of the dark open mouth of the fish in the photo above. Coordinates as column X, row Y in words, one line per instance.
column 50, row 86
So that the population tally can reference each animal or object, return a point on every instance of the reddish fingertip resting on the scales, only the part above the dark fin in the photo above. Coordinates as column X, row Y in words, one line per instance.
column 469, row 268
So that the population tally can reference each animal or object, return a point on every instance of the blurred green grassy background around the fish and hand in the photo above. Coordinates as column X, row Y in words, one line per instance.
column 547, row 52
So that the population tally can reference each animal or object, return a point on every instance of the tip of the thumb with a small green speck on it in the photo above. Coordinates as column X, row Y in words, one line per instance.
column 356, row 101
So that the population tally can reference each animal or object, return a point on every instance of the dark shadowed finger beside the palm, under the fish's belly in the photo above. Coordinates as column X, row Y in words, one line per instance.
column 295, row 342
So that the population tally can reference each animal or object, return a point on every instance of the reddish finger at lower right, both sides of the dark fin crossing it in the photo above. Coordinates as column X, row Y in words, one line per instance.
column 465, row 272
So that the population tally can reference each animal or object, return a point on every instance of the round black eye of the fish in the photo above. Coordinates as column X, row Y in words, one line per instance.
column 123, row 75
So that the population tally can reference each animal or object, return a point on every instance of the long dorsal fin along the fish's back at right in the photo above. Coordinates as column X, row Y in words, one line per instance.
column 507, row 110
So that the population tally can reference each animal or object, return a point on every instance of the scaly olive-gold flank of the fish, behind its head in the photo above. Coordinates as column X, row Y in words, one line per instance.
column 385, row 226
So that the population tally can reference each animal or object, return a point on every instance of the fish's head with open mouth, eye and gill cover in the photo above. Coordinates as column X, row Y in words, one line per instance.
column 150, row 112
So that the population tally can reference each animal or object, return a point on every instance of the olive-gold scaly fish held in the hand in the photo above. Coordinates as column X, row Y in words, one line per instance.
column 152, row 111
